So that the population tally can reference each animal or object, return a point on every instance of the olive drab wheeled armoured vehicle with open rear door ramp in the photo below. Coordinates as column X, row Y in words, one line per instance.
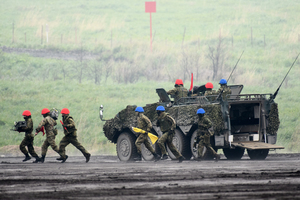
column 241, row 122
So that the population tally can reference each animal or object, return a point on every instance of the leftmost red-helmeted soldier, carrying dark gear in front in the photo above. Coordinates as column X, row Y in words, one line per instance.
column 28, row 139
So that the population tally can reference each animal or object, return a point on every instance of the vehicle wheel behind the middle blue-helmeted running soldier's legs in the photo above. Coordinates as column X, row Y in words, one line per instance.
column 182, row 143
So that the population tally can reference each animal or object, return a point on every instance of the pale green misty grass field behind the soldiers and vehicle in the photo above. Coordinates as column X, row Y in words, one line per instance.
column 186, row 35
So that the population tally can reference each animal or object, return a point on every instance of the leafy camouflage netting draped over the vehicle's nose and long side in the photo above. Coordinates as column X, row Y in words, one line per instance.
column 183, row 115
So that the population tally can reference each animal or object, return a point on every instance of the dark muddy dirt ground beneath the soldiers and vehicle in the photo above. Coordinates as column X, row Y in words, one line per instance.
column 104, row 177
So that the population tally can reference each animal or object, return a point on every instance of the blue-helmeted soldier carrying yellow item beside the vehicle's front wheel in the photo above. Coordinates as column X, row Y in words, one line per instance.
column 145, row 124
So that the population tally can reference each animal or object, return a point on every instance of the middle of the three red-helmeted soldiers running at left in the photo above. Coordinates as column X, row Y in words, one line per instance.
column 48, row 123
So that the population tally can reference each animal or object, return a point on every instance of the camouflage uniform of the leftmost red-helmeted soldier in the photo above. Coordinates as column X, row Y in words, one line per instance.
column 28, row 139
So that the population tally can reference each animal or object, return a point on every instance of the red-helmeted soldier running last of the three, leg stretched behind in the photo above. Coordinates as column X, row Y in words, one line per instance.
column 70, row 137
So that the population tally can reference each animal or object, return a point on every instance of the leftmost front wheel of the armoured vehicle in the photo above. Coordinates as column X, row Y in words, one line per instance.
column 126, row 149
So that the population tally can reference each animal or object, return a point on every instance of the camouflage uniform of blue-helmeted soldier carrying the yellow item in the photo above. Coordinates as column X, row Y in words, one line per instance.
column 143, row 123
